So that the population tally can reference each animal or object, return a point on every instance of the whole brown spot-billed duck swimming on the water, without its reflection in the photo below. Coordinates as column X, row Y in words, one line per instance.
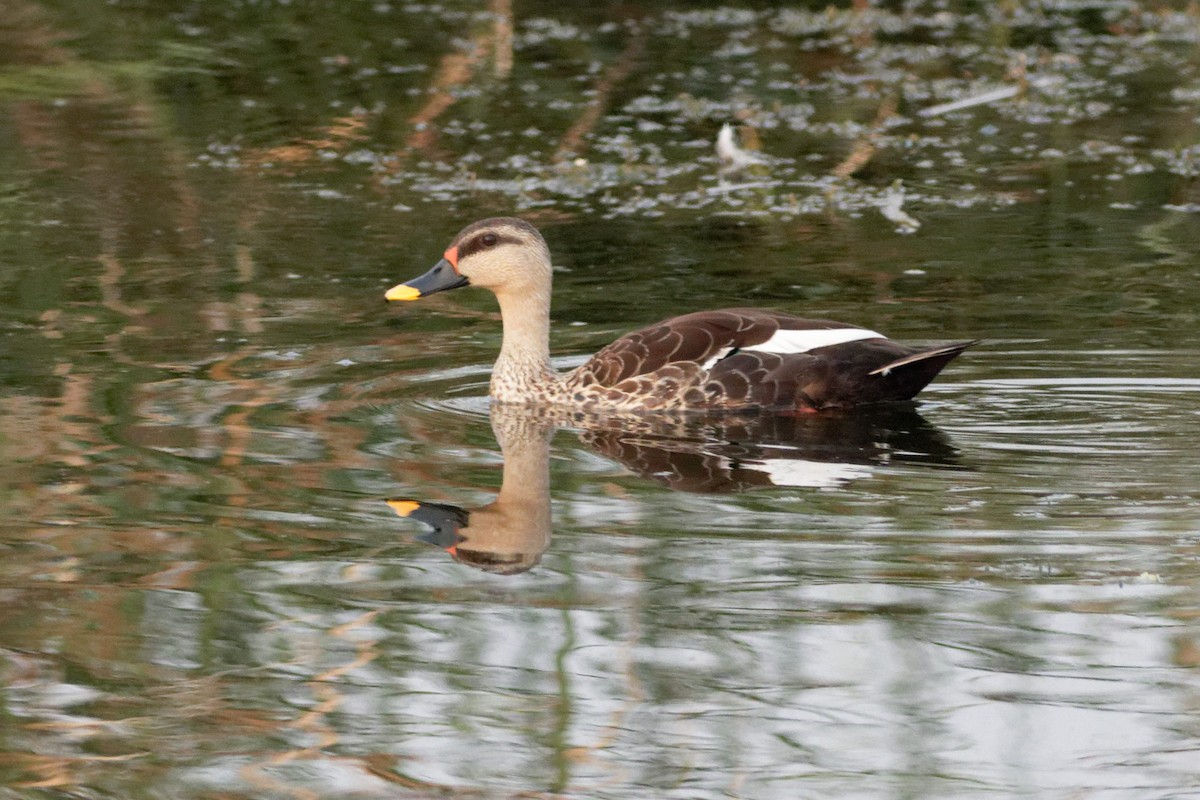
column 715, row 362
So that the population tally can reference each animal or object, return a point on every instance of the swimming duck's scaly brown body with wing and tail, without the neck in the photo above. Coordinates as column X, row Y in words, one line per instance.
column 752, row 358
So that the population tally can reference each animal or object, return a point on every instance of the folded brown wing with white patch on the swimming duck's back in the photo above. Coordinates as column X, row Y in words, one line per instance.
column 707, row 338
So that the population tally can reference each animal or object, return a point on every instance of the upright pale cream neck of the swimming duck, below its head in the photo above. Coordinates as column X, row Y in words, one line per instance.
column 523, row 372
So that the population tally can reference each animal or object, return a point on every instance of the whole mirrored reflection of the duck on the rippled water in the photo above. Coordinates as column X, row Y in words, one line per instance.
column 688, row 454
